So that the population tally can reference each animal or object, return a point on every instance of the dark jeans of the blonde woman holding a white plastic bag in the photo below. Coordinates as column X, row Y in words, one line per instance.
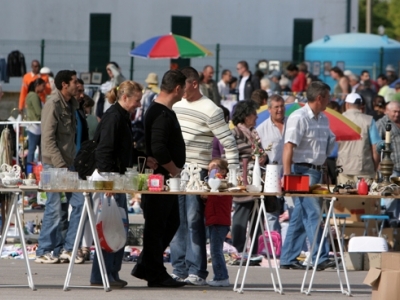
column 112, row 261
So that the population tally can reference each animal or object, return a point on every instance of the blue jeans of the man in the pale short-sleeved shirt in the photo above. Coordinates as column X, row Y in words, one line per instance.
column 303, row 222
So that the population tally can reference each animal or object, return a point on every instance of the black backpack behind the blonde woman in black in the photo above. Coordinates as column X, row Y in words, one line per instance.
column 85, row 160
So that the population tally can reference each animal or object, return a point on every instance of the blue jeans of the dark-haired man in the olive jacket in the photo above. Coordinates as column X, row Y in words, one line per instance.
column 51, row 235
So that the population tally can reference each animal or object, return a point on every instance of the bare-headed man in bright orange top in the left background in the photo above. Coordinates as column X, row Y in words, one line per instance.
column 30, row 77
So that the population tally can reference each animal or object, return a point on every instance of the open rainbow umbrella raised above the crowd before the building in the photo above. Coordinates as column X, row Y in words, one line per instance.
column 170, row 46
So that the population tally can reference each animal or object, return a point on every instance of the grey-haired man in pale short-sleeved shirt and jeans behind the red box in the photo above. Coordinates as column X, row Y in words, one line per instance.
column 308, row 141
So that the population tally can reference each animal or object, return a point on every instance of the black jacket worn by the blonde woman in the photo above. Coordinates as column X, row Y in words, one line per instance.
column 115, row 146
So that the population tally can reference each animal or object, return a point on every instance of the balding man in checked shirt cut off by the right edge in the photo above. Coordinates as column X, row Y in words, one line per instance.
column 392, row 114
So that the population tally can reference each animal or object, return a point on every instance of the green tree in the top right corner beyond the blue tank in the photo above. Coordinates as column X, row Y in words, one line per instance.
column 380, row 16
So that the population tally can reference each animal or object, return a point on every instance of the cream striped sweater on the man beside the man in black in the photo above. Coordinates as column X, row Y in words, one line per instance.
column 200, row 121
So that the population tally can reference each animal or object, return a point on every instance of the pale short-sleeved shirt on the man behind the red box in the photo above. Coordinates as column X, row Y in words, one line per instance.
column 311, row 134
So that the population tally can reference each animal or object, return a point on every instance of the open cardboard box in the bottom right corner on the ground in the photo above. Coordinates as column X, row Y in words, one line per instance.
column 385, row 282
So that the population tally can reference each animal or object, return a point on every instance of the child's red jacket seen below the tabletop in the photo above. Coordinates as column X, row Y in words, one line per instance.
column 218, row 210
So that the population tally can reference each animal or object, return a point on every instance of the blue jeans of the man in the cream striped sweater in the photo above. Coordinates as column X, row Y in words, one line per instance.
column 188, row 247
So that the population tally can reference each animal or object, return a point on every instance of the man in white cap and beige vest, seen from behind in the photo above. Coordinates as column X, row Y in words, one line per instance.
column 358, row 158
